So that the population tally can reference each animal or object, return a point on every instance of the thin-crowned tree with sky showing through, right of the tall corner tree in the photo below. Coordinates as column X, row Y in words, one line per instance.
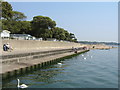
column 18, row 16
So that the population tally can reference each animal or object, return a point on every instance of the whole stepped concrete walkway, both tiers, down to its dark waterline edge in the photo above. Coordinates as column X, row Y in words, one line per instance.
column 19, row 65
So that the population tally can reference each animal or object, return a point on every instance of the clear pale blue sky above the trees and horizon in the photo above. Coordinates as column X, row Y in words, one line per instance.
column 91, row 21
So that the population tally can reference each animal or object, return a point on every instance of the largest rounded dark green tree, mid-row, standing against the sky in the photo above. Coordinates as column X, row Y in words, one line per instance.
column 41, row 26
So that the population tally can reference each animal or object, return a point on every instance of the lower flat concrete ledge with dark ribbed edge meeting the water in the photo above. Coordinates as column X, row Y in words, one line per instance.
column 25, row 66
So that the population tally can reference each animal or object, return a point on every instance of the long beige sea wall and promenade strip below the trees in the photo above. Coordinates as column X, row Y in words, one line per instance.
column 21, row 45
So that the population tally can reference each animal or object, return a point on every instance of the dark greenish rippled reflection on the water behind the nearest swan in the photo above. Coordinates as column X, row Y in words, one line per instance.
column 42, row 76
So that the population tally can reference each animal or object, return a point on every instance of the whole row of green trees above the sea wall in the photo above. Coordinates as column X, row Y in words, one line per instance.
column 40, row 27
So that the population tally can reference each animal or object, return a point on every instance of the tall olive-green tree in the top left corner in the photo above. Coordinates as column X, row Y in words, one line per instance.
column 6, row 10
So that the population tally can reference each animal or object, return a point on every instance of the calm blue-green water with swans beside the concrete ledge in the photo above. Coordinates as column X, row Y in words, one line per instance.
column 94, row 69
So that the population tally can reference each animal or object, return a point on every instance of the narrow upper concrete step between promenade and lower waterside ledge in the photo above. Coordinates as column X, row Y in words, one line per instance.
column 7, row 59
